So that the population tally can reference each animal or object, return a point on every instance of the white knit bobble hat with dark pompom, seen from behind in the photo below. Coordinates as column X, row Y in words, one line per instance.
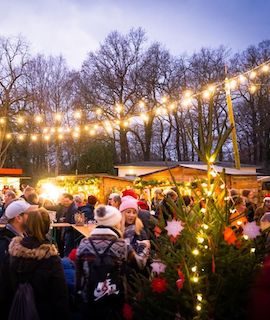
column 107, row 216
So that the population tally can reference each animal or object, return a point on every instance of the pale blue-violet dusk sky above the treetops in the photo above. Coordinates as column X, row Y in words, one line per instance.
column 74, row 27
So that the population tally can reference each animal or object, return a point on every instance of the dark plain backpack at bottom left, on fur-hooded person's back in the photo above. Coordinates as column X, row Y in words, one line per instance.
column 23, row 305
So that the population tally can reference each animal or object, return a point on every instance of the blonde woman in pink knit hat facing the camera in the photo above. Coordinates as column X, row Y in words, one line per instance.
column 134, row 233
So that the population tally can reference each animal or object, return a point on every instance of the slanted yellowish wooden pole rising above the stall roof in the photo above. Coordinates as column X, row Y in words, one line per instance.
column 232, row 122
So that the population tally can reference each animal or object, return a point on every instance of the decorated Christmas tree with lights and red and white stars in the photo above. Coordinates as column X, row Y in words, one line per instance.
column 204, row 257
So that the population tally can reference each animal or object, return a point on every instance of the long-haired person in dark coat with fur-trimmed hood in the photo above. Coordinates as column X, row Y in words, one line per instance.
column 34, row 260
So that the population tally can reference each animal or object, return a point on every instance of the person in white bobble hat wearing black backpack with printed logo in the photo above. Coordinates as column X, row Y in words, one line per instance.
column 102, row 293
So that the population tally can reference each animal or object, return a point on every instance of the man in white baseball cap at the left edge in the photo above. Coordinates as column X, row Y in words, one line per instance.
column 16, row 214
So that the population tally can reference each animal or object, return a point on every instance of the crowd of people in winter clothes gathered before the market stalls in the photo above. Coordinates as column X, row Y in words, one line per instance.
column 60, row 275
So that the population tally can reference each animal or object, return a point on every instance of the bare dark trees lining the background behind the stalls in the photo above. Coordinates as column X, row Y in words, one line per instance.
column 124, row 71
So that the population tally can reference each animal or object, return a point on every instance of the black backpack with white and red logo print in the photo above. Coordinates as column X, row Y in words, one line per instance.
column 105, row 280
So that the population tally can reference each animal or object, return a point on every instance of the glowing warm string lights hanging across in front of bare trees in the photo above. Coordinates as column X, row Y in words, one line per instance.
column 109, row 125
